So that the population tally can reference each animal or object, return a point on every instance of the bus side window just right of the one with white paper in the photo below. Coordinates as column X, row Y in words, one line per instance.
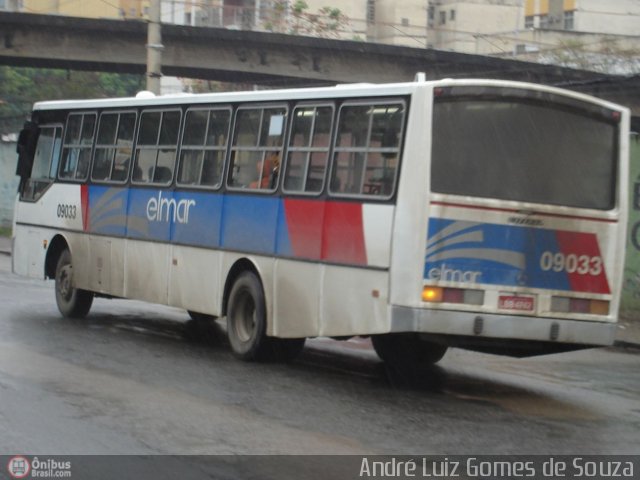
column 308, row 152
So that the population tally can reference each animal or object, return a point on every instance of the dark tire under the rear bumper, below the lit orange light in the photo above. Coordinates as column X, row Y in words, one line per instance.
column 407, row 350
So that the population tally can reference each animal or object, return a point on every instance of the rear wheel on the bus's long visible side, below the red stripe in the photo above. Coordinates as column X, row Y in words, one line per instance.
column 247, row 320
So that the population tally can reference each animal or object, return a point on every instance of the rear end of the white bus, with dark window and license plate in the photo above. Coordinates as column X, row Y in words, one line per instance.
column 524, row 220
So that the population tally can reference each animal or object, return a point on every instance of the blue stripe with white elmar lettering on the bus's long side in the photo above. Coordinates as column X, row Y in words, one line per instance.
column 250, row 223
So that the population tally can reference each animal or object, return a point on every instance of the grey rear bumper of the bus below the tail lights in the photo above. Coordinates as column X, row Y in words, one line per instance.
column 485, row 326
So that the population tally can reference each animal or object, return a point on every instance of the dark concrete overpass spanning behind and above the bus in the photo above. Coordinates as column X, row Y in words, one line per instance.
column 265, row 58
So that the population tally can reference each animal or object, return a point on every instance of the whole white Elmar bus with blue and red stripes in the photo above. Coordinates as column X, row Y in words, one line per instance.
column 480, row 214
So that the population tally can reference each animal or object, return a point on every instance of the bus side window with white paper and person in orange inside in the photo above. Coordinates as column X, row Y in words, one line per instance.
column 257, row 148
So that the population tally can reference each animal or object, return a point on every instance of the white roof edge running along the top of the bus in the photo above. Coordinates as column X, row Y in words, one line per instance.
column 145, row 99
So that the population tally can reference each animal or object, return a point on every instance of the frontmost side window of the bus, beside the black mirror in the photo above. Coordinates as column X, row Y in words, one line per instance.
column 45, row 161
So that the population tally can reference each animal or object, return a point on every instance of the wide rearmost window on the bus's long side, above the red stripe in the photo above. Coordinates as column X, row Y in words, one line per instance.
column 367, row 149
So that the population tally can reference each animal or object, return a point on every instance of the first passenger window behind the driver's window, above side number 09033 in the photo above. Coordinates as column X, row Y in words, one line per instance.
column 76, row 149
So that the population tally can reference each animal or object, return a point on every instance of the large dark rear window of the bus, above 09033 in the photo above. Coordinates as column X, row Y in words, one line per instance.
column 523, row 150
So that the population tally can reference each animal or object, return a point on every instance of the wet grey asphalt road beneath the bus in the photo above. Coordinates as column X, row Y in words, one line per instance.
column 138, row 379
